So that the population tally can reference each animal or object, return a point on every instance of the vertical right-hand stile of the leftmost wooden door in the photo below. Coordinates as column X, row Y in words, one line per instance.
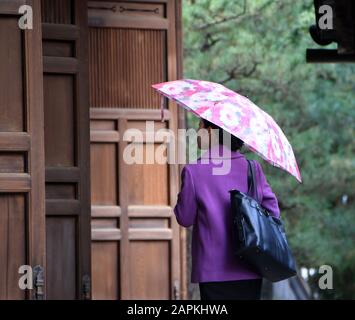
column 34, row 87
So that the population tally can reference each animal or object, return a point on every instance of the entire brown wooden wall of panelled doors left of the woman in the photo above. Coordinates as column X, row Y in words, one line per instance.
column 69, row 90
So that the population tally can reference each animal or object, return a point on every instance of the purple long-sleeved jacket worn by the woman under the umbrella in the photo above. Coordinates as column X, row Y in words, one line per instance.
column 204, row 203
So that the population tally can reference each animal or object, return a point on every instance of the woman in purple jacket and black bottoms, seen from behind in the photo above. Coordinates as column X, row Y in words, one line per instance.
column 204, row 203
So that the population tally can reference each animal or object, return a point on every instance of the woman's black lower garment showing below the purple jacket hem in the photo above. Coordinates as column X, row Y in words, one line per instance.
column 231, row 290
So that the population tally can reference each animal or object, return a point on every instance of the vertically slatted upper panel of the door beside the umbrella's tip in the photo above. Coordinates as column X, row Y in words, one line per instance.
column 122, row 75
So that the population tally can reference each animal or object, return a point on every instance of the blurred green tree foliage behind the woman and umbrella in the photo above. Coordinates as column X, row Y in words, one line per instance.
column 260, row 52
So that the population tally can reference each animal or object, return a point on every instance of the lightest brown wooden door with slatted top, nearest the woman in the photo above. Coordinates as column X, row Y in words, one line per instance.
column 135, row 237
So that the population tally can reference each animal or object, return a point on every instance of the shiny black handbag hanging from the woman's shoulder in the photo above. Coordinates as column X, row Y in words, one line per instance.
column 258, row 237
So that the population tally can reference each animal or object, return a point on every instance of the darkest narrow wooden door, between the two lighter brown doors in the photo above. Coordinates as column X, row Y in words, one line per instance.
column 66, row 124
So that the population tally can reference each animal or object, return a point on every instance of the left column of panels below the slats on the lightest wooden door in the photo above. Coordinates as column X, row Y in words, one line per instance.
column 106, row 209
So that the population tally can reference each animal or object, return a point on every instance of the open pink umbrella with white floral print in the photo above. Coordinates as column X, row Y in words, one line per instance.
column 237, row 115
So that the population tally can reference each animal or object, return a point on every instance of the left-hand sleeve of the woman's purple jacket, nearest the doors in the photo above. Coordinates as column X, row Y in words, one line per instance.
column 186, row 206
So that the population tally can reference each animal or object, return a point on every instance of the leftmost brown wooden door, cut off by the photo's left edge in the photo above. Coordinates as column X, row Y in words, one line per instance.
column 22, row 223
